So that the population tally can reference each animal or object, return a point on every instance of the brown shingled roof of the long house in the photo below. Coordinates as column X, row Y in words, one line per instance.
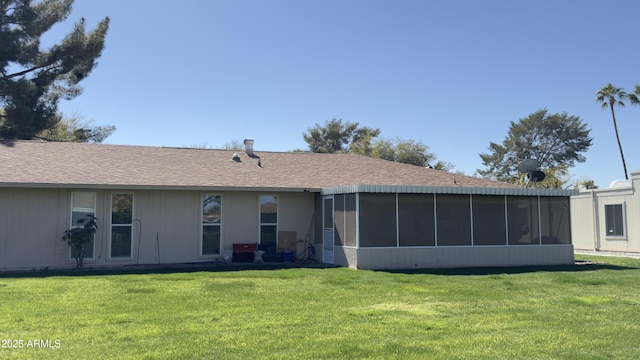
column 58, row 164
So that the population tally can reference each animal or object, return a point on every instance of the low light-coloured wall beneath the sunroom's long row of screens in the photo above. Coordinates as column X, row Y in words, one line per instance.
column 463, row 256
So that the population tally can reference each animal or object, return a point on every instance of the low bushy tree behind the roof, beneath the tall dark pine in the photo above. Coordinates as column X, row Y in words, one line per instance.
column 74, row 130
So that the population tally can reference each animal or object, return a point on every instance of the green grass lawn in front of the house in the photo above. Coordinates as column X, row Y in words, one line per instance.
column 589, row 311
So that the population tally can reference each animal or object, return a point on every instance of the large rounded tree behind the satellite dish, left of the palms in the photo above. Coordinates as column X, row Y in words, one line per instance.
column 556, row 140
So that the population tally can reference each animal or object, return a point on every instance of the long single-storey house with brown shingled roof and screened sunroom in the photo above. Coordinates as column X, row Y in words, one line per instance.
column 162, row 205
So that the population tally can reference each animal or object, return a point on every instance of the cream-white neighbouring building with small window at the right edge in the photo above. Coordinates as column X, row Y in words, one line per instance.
column 607, row 219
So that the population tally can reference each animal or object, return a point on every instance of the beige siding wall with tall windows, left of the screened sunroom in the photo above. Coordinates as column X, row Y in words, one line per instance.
column 166, row 225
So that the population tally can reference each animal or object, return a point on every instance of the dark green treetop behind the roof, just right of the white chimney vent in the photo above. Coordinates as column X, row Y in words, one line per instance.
column 336, row 136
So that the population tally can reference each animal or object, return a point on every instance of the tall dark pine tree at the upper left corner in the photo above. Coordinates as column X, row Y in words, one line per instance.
column 32, row 80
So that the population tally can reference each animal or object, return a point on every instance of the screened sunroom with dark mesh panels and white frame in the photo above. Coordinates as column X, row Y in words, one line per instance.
column 381, row 227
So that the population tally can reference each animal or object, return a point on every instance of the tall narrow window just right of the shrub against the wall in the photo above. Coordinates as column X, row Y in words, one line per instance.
column 121, row 225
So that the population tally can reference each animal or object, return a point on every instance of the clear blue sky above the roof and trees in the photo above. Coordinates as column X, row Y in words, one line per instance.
column 452, row 74
